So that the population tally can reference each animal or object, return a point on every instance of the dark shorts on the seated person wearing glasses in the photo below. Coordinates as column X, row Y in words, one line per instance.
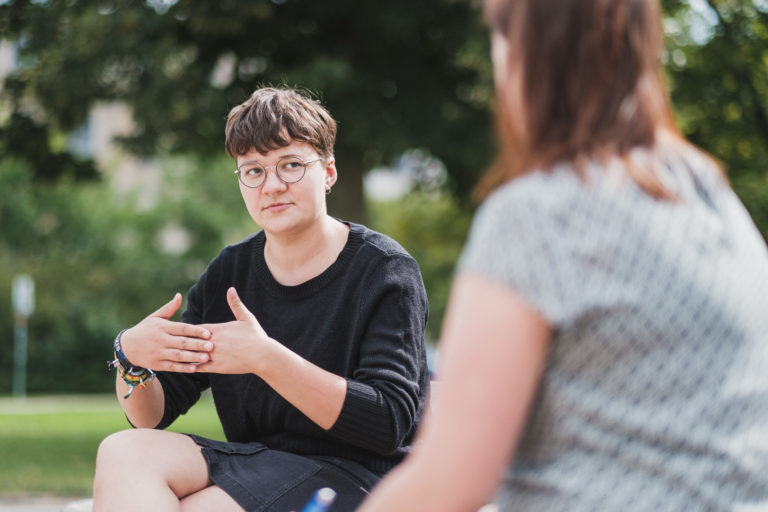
column 261, row 479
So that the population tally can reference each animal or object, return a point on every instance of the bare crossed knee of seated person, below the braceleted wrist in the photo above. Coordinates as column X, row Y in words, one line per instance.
column 145, row 469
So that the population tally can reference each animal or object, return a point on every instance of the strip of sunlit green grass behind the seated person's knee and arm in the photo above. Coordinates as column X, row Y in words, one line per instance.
column 48, row 444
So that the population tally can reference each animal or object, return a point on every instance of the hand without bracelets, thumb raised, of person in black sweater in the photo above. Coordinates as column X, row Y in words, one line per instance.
column 239, row 346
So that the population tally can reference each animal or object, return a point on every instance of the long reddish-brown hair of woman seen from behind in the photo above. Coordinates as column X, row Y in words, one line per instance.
column 591, row 86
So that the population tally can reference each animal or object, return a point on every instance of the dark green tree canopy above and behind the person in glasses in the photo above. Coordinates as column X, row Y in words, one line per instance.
column 397, row 74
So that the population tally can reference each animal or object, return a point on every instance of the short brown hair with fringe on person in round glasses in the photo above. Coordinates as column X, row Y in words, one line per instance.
column 272, row 118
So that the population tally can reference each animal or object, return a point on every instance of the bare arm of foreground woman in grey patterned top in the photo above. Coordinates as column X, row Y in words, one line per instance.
column 492, row 356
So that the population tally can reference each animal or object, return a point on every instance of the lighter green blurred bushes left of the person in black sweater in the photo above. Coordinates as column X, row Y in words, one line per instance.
column 100, row 263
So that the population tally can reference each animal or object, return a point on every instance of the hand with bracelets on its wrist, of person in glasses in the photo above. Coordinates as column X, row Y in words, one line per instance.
column 160, row 344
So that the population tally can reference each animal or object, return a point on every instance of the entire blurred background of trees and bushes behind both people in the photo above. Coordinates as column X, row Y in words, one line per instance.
column 115, row 190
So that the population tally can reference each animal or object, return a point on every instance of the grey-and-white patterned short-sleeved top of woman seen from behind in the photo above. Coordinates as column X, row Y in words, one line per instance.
column 655, row 392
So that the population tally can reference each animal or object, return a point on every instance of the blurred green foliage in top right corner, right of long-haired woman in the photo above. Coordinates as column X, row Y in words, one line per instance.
column 717, row 61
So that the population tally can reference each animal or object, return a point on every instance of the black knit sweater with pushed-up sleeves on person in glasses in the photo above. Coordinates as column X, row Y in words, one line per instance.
column 363, row 319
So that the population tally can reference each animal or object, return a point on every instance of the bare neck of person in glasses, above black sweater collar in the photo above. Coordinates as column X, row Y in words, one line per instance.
column 294, row 258
